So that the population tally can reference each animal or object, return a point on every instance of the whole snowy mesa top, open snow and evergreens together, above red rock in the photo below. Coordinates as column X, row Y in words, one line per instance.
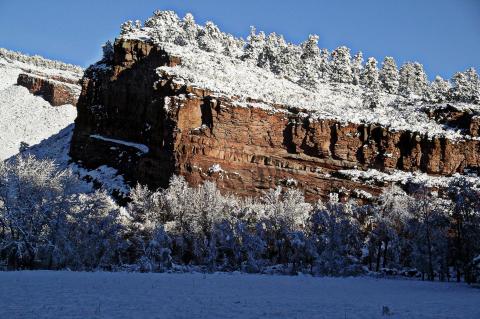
column 319, row 84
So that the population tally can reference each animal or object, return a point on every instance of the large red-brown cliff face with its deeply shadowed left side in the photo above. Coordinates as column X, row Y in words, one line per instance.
column 191, row 132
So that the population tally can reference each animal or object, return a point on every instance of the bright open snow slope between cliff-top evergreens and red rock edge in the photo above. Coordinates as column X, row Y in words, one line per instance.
column 342, row 102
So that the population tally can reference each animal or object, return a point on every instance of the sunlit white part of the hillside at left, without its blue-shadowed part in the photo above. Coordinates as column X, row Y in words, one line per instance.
column 23, row 116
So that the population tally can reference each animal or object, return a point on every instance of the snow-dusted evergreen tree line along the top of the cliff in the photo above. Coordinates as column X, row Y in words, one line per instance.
column 308, row 65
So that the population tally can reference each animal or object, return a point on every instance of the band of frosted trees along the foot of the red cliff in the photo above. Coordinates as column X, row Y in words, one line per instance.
column 49, row 220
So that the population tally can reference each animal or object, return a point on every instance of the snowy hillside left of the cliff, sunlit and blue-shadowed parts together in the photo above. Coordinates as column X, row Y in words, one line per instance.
column 47, row 129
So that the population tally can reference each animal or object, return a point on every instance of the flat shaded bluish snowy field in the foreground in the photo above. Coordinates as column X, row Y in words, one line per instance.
column 44, row 294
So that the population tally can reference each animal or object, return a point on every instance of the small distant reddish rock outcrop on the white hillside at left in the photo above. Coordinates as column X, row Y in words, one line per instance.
column 54, row 89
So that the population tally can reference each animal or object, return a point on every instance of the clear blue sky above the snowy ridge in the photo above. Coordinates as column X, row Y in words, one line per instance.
column 444, row 35
